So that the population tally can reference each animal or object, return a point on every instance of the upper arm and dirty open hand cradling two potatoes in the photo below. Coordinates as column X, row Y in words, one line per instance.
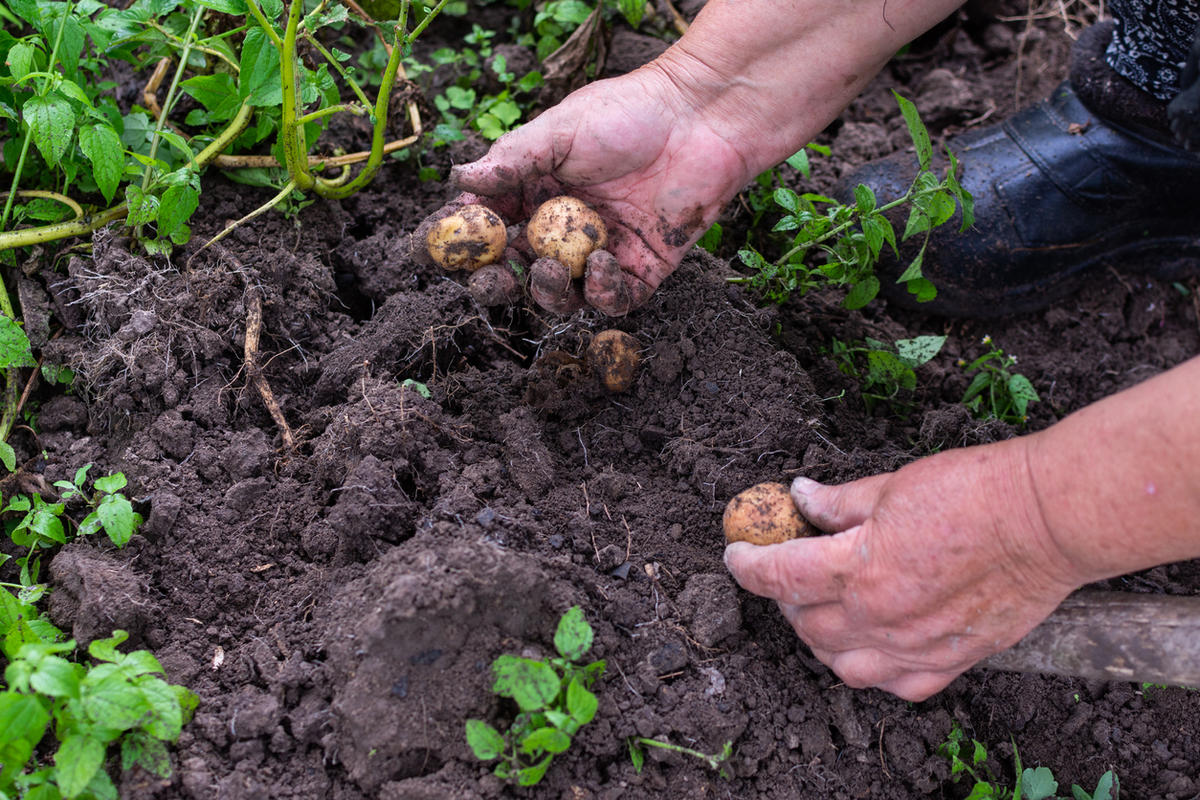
column 662, row 151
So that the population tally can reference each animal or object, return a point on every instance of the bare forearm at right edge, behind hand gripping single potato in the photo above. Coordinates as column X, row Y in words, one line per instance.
column 1119, row 482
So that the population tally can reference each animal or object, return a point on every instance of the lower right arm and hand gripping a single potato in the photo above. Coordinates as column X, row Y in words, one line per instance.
column 958, row 556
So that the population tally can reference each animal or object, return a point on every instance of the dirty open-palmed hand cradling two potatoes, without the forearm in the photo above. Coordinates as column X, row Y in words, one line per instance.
column 635, row 151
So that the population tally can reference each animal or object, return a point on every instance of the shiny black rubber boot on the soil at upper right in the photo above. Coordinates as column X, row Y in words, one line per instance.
column 1061, row 190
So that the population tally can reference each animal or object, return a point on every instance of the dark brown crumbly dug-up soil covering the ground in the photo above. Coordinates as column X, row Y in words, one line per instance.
column 338, row 607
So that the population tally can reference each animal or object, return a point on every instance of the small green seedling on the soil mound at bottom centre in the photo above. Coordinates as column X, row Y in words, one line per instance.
column 554, row 703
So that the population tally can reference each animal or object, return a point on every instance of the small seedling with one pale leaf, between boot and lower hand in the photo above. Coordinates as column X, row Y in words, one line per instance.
column 890, row 369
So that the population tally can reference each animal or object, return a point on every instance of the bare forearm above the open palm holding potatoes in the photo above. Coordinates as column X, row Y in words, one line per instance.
column 770, row 75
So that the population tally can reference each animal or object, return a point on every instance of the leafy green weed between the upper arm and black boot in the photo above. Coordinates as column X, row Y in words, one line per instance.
column 853, row 237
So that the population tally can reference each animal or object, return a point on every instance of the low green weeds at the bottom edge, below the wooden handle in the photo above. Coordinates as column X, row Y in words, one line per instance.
column 1033, row 784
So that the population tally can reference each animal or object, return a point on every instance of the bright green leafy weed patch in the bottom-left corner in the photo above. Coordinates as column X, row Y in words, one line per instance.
column 122, row 699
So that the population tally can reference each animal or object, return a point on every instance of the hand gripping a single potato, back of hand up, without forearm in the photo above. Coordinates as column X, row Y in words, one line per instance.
column 931, row 569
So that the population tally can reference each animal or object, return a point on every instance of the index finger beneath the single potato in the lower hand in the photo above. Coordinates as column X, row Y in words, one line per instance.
column 803, row 572
